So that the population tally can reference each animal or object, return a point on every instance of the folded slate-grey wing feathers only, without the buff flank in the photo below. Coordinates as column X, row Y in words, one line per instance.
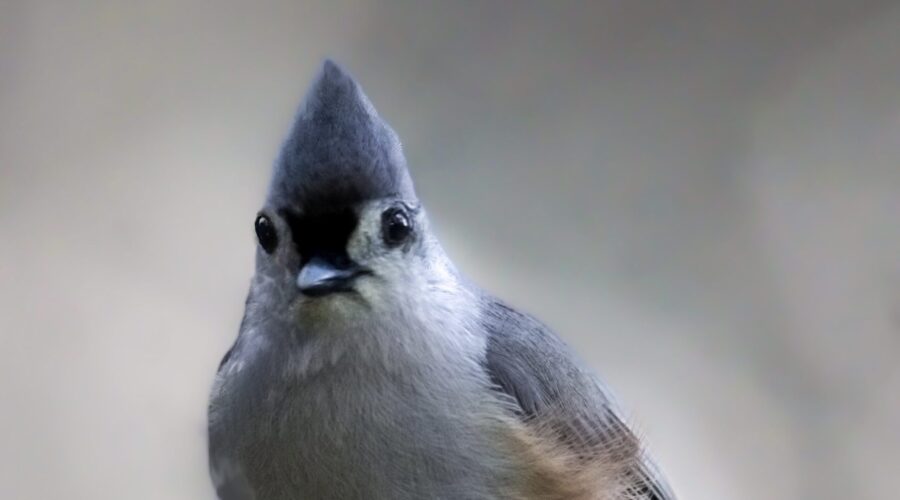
column 536, row 370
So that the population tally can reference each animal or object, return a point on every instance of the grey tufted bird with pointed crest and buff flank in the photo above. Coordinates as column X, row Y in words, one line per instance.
column 367, row 366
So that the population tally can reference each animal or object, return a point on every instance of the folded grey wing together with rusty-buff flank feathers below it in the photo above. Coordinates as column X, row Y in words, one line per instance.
column 578, row 440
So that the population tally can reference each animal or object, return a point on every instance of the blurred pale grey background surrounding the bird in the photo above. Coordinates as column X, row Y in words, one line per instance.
column 702, row 197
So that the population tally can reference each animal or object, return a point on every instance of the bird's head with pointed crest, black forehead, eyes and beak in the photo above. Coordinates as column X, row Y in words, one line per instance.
column 342, row 226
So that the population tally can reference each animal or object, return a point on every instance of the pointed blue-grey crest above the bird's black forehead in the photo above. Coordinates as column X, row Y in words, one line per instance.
column 339, row 151
